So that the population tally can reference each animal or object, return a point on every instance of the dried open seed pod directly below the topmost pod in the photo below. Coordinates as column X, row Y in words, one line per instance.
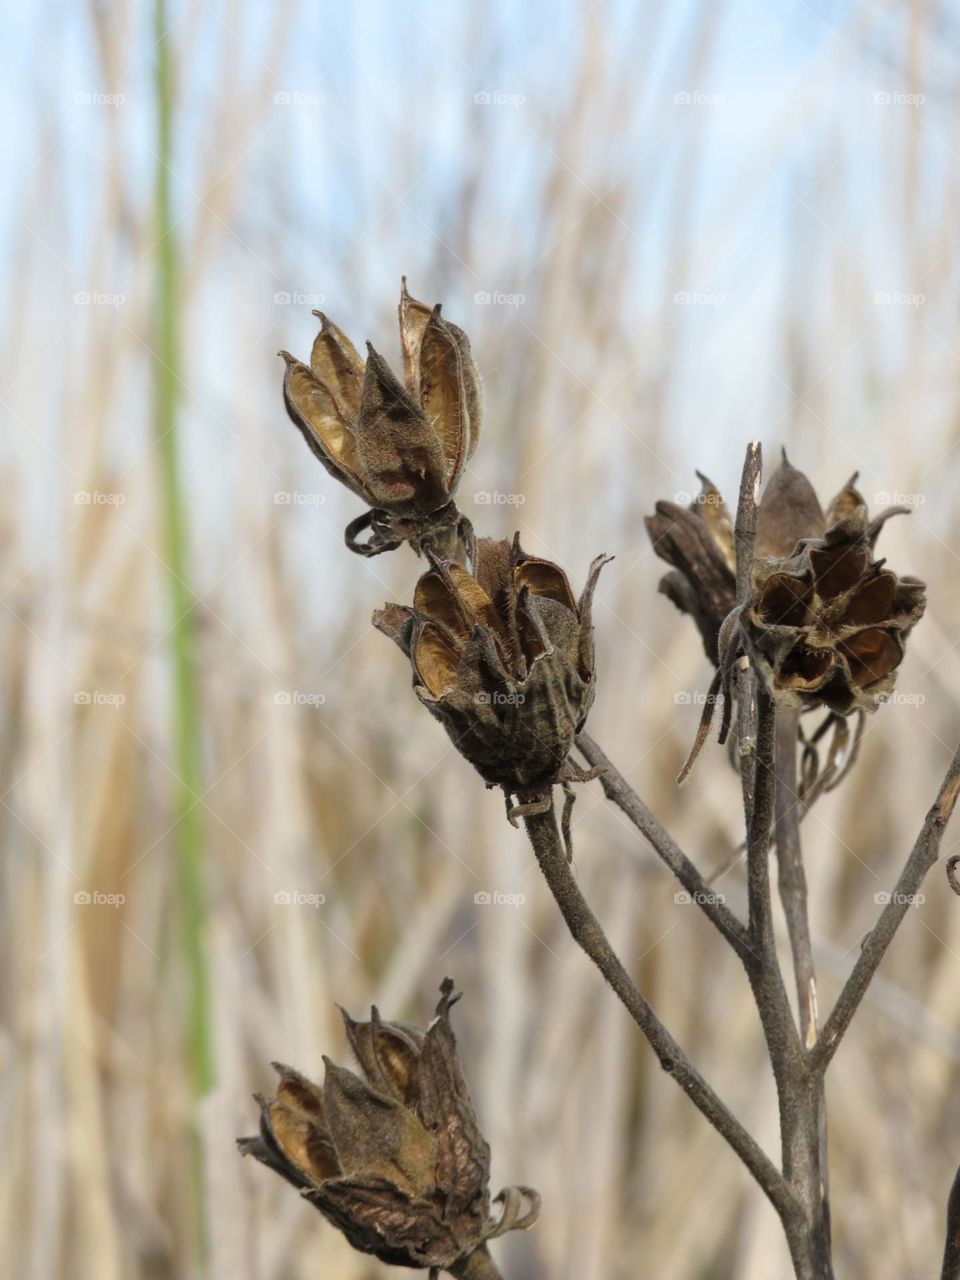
column 505, row 661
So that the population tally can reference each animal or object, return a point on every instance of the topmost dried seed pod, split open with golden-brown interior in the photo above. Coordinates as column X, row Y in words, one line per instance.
column 400, row 446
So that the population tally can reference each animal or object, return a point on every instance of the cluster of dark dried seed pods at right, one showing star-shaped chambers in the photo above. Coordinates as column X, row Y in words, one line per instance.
column 826, row 624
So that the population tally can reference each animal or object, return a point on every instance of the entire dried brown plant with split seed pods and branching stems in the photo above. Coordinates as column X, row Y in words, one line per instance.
column 797, row 615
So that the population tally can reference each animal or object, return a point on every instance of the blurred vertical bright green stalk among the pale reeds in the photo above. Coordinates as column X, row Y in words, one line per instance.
column 189, row 838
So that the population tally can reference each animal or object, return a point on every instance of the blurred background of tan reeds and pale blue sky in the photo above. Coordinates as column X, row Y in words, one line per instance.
column 668, row 230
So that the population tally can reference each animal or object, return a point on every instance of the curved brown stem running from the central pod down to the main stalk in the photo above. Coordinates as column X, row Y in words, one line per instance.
column 589, row 936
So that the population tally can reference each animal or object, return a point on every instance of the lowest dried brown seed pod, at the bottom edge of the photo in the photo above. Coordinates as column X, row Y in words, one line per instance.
column 394, row 1158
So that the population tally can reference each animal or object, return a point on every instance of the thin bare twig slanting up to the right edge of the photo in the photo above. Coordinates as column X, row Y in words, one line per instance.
column 924, row 856
